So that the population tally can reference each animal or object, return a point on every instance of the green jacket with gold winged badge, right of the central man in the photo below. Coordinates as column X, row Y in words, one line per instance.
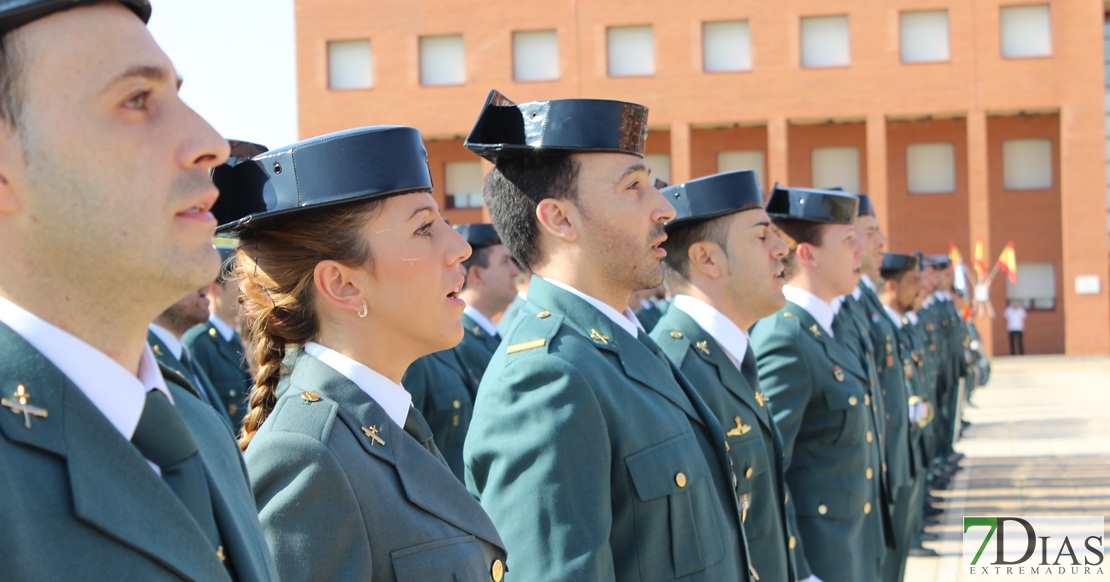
column 754, row 443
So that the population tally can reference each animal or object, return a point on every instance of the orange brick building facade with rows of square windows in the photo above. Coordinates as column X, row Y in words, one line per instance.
column 965, row 122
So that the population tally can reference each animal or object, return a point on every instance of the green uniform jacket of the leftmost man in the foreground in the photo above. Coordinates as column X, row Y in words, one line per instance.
column 80, row 503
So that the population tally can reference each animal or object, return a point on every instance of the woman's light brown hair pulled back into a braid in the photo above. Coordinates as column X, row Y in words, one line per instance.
column 275, row 270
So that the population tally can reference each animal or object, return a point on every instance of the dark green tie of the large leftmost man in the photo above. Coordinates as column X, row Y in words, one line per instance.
column 165, row 440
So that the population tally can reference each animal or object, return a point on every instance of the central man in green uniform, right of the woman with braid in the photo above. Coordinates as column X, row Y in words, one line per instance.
column 594, row 457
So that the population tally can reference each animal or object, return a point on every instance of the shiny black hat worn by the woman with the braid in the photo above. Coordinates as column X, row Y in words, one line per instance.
column 349, row 166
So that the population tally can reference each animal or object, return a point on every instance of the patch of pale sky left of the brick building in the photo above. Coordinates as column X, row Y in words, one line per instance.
column 238, row 62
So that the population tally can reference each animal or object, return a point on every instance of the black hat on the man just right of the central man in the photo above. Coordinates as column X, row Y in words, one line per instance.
column 714, row 196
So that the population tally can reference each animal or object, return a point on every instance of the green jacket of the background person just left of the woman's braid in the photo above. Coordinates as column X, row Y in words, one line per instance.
column 226, row 366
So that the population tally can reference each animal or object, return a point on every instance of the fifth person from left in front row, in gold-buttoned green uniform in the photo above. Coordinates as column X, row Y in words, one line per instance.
column 821, row 393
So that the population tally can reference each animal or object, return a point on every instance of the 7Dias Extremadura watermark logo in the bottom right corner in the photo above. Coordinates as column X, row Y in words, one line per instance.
column 1011, row 546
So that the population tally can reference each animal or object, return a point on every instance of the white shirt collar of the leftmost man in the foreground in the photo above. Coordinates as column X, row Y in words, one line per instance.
column 117, row 393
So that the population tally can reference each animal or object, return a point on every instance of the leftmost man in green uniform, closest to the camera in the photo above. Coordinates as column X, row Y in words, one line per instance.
column 110, row 470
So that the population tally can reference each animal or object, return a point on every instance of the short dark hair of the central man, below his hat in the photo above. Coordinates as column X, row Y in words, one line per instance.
column 513, row 190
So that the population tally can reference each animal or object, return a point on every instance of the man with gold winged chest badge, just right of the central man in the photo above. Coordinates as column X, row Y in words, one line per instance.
column 724, row 267
